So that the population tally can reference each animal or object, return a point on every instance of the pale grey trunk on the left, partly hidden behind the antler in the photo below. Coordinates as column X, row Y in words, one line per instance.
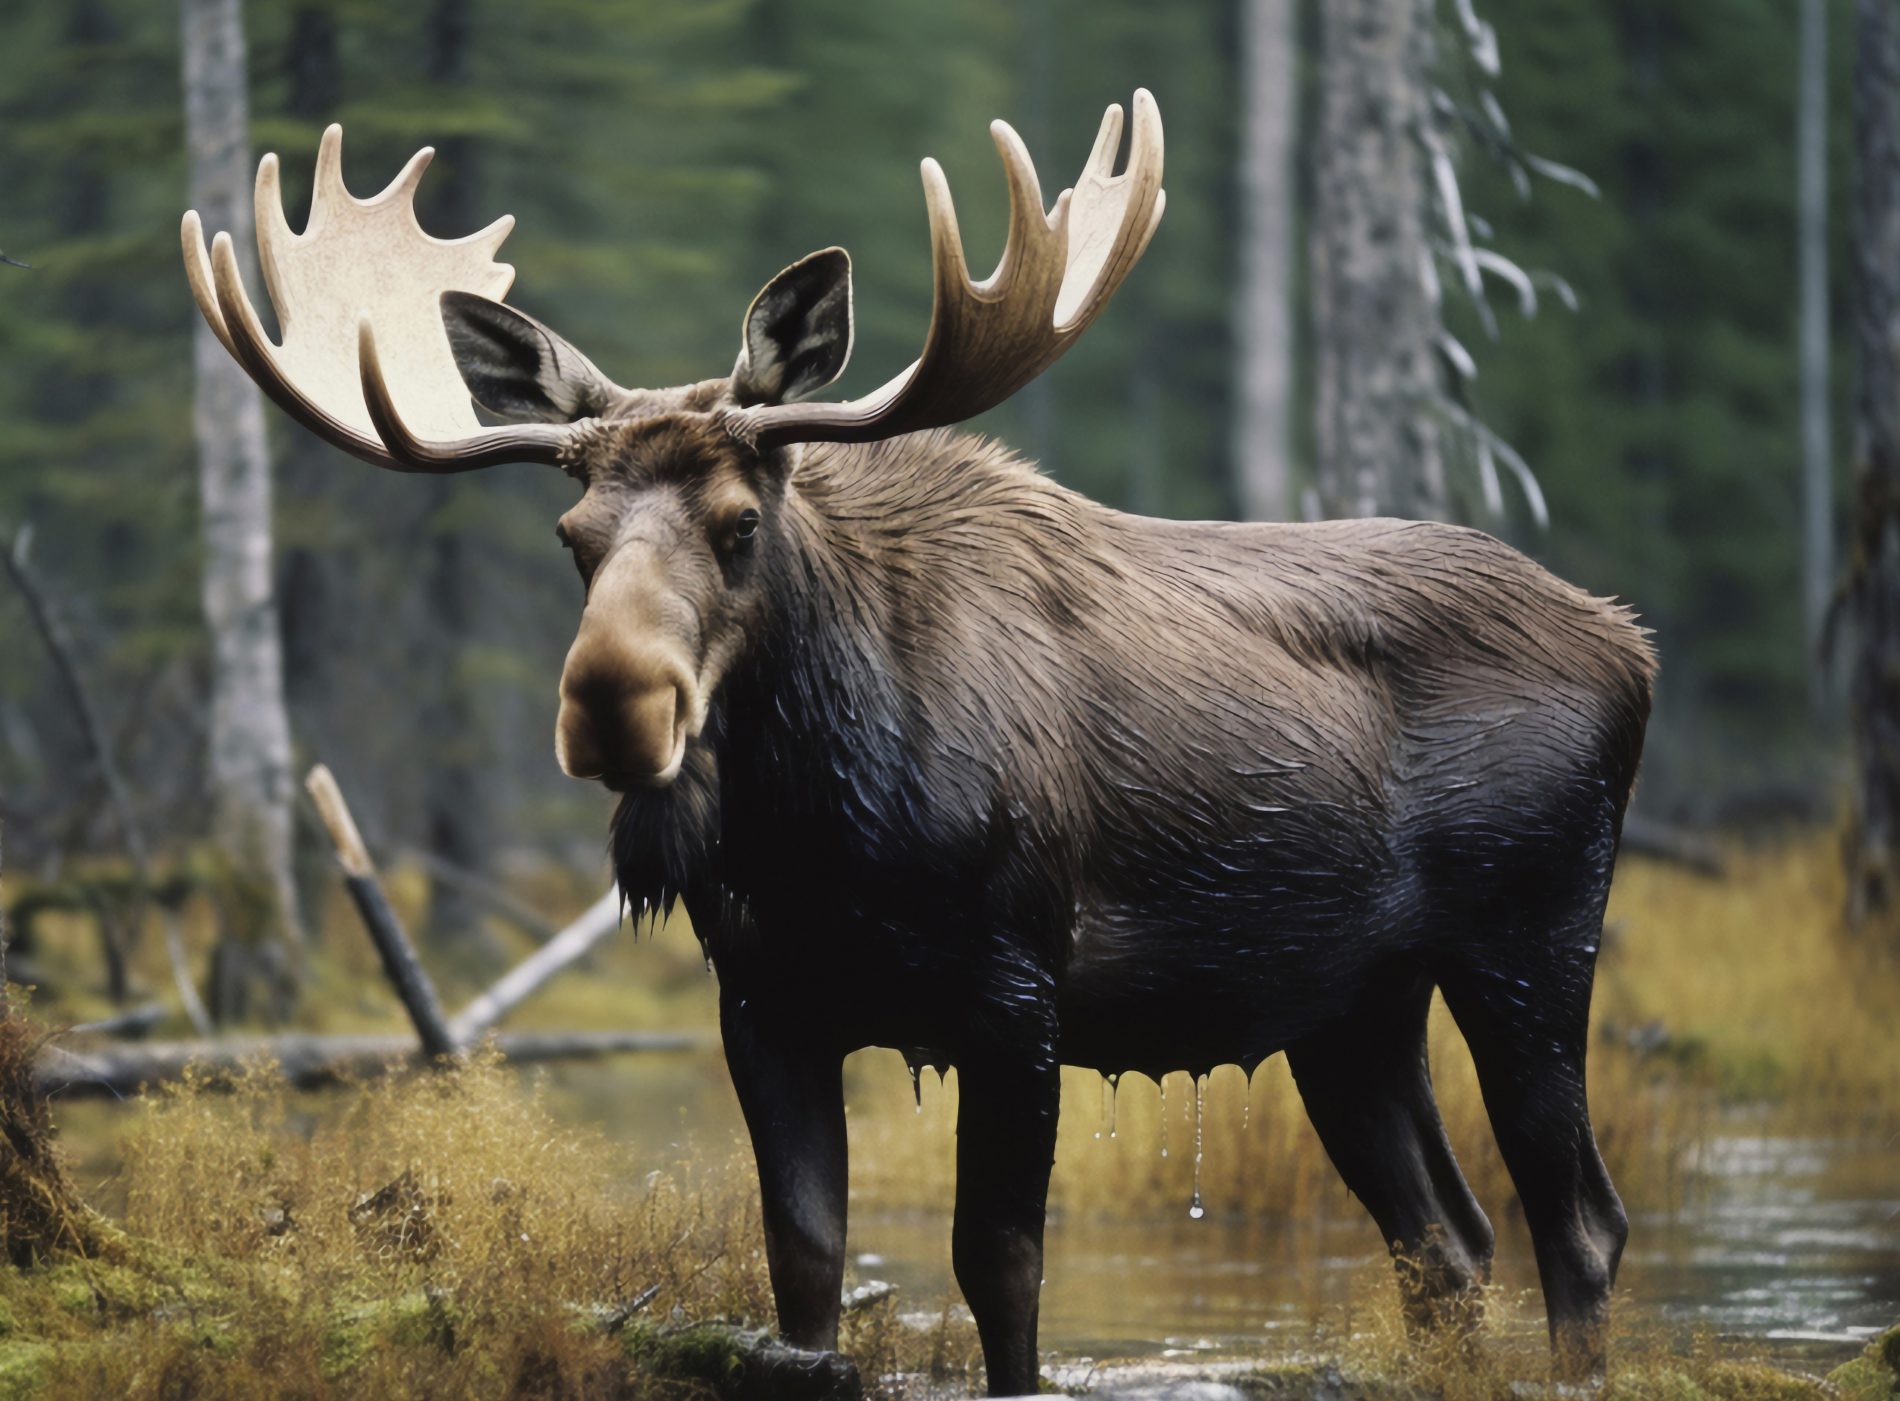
column 250, row 733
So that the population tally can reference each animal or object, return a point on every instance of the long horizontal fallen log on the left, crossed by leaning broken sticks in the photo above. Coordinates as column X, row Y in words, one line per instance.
column 311, row 1062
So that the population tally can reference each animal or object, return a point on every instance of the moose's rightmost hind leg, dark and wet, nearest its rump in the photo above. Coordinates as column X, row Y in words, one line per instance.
column 1527, row 1024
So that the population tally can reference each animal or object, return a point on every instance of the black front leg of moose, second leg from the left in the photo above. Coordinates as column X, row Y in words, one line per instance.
column 1006, row 1140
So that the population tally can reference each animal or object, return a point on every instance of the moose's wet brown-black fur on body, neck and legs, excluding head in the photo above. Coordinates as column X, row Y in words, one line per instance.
column 1010, row 778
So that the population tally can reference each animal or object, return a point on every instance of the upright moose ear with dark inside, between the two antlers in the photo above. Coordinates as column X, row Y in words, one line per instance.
column 797, row 332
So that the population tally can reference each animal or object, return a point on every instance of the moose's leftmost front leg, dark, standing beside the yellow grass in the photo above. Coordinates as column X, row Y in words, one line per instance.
column 793, row 1102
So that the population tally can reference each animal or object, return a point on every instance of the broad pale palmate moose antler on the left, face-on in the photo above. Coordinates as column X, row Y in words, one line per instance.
column 356, row 265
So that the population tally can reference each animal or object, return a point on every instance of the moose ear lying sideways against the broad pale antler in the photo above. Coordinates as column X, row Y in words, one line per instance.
column 518, row 370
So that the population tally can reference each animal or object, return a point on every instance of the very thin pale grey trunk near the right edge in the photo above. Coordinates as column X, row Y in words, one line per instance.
column 1817, row 451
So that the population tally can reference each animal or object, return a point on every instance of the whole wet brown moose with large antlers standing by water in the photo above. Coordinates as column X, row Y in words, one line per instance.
column 949, row 759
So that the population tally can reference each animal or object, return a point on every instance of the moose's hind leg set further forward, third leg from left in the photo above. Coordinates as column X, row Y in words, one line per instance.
column 1367, row 1090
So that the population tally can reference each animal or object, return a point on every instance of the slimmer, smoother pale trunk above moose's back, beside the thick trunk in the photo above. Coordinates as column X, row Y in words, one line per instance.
column 1263, row 425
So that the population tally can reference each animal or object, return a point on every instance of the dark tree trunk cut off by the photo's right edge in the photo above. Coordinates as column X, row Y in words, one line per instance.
column 1874, row 571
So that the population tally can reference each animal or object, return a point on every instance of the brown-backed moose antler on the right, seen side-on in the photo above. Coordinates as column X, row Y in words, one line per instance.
column 993, row 337
